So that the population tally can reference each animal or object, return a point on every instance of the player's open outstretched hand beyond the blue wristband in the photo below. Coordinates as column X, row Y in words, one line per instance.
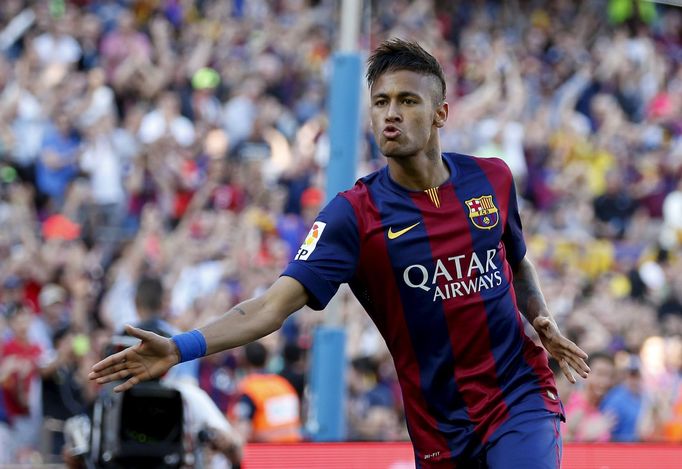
column 151, row 358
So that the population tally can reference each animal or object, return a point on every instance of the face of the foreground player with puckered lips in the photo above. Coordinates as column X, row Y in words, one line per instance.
column 406, row 111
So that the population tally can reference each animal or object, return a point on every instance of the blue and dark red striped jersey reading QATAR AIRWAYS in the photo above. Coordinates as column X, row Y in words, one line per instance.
column 433, row 269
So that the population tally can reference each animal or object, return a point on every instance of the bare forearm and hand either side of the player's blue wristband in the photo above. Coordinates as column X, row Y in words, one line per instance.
column 246, row 322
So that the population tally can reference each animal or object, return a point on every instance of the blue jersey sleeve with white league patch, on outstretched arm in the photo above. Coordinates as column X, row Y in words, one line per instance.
column 328, row 255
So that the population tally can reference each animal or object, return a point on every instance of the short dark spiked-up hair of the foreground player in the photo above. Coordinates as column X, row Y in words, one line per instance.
column 396, row 54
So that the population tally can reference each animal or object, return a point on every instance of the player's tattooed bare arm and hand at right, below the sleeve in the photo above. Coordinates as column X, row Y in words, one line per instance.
column 532, row 304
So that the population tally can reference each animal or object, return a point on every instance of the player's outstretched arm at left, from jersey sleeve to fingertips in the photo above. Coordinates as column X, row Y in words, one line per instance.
column 327, row 258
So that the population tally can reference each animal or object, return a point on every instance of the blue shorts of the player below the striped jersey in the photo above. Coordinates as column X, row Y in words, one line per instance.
column 530, row 440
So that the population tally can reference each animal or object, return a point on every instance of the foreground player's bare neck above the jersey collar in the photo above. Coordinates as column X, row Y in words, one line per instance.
column 419, row 172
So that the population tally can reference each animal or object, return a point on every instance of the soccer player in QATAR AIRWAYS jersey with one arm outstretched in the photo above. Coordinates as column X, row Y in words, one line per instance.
column 433, row 249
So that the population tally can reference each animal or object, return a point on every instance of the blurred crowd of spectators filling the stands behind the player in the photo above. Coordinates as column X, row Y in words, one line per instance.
column 186, row 141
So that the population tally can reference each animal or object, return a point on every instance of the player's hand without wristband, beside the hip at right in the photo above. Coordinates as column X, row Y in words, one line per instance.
column 563, row 350
